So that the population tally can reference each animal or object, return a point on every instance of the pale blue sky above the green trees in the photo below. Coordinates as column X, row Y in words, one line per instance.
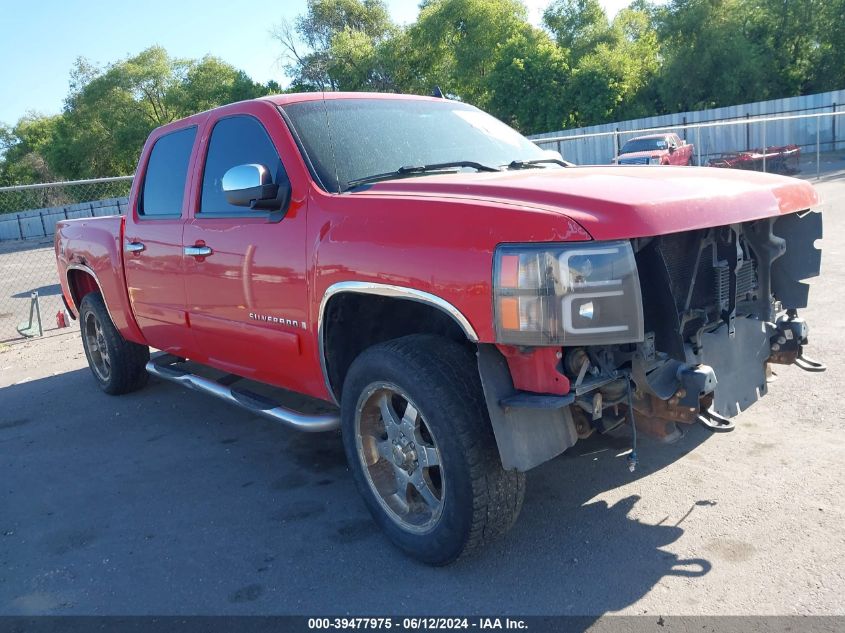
column 42, row 39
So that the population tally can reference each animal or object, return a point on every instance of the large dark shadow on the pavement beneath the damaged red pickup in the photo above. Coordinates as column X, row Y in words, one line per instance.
column 166, row 501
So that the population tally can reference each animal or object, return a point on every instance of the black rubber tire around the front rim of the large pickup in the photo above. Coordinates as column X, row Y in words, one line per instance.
column 479, row 500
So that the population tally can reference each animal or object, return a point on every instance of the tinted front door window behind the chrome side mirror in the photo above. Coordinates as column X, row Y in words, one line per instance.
column 238, row 140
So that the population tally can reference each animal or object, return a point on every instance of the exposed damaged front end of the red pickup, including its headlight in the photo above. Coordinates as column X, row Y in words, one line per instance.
column 677, row 328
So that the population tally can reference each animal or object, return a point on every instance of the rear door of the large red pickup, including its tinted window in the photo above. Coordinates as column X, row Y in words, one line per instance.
column 153, row 243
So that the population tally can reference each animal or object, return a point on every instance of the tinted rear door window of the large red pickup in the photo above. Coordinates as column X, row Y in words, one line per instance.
column 167, row 172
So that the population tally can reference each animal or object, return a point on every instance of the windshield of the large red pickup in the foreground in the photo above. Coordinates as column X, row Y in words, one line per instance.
column 351, row 139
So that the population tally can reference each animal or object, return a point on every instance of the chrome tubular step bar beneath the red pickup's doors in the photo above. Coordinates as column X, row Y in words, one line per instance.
column 163, row 366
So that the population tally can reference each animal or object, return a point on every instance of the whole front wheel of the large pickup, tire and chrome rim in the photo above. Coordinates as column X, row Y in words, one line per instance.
column 421, row 448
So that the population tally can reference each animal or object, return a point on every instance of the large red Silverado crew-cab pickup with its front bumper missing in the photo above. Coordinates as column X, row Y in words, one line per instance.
column 461, row 304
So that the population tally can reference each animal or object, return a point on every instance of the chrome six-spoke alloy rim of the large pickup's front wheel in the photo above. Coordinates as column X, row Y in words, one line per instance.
column 400, row 457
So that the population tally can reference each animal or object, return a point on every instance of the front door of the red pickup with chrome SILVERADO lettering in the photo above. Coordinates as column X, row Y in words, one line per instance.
column 245, row 269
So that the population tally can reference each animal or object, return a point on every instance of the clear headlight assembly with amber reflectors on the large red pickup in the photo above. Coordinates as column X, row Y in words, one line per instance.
column 567, row 294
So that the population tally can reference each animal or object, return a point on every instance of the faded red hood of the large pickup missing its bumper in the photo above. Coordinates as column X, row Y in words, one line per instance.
column 625, row 201
